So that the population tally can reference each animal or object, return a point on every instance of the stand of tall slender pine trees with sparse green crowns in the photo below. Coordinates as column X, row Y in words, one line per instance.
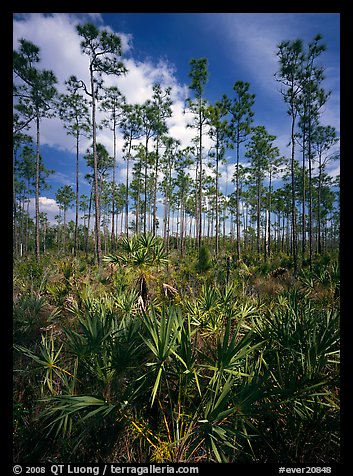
column 300, row 217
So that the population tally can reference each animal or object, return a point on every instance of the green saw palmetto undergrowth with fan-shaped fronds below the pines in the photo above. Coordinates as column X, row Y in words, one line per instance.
column 154, row 357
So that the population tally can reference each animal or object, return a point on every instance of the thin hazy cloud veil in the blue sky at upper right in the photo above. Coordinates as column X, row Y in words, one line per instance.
column 253, row 40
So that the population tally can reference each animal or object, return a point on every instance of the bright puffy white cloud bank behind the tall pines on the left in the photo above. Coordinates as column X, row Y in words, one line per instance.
column 60, row 51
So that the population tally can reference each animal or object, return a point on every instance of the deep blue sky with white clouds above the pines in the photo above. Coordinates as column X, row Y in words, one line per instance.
column 157, row 48
